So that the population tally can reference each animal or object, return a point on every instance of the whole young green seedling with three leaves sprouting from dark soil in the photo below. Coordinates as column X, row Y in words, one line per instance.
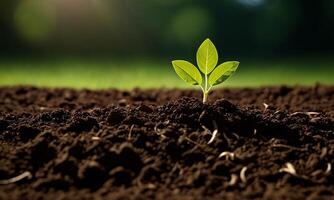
column 209, row 74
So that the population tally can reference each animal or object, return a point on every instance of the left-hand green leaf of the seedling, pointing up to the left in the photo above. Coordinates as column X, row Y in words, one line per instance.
column 187, row 71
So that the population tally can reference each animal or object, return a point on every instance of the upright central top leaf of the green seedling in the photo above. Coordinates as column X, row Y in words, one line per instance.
column 207, row 56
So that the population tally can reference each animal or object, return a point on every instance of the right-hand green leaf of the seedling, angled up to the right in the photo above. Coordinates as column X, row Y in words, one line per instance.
column 222, row 72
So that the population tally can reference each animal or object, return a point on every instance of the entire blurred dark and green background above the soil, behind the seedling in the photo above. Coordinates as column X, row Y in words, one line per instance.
column 126, row 44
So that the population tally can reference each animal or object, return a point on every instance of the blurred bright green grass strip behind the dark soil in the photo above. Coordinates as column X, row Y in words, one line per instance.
column 148, row 73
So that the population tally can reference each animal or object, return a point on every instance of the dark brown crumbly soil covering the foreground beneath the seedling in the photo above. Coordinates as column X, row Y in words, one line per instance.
column 264, row 143
